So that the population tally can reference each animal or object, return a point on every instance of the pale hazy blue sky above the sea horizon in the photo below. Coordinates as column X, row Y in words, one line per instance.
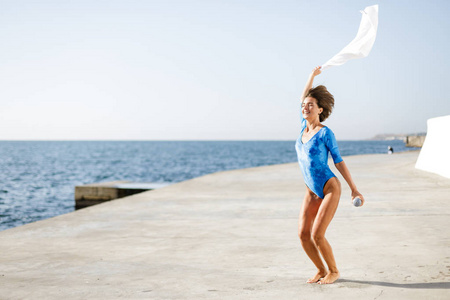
column 215, row 70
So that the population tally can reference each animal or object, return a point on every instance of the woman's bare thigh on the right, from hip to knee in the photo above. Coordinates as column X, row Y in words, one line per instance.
column 328, row 207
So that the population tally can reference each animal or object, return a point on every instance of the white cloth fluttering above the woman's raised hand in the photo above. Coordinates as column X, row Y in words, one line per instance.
column 361, row 45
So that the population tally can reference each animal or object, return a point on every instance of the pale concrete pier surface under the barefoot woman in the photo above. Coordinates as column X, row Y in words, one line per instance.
column 233, row 235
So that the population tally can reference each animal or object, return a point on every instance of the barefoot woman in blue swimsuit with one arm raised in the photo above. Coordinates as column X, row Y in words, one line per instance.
column 323, row 189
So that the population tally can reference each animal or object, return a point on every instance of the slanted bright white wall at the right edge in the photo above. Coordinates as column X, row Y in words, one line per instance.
column 435, row 154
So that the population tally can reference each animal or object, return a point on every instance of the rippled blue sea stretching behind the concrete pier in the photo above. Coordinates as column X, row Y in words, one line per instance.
column 38, row 178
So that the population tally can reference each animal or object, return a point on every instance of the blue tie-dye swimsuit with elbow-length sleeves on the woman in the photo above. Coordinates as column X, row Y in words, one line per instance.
column 313, row 158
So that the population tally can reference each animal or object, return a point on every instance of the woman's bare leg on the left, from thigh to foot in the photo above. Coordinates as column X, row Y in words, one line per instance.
column 308, row 213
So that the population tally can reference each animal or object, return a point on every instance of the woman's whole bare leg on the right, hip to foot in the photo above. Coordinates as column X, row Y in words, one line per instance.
column 324, row 216
